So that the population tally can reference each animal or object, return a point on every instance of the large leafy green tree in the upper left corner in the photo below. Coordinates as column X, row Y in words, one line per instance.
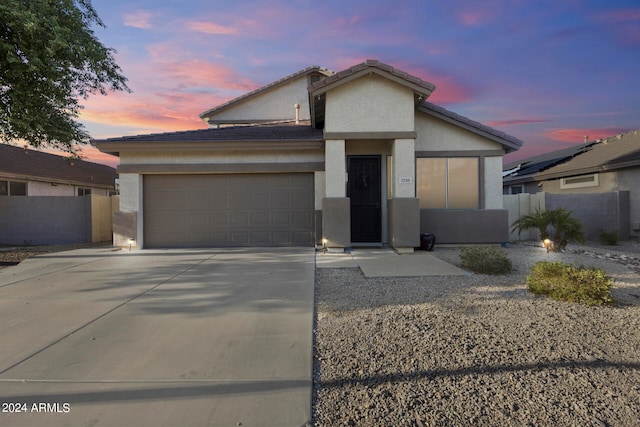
column 49, row 59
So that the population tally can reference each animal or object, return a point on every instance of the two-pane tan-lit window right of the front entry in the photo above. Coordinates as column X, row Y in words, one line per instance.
column 448, row 182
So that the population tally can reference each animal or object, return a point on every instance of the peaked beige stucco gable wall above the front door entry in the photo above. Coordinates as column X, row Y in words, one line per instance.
column 369, row 104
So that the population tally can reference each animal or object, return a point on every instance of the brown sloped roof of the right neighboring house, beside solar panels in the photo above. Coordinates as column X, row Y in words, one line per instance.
column 611, row 153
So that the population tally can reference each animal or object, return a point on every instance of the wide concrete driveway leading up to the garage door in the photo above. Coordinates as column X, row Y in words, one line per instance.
column 97, row 337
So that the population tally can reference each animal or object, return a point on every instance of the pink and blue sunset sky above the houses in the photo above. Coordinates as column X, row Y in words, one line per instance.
column 546, row 71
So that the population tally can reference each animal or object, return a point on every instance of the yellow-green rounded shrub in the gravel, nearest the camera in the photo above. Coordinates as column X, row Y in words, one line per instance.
column 565, row 282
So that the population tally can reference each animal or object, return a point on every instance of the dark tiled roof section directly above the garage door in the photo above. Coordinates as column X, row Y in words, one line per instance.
column 223, row 138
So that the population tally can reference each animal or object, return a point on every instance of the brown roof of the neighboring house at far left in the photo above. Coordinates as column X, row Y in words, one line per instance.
column 23, row 163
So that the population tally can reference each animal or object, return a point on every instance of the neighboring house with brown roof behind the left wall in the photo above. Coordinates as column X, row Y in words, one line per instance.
column 25, row 172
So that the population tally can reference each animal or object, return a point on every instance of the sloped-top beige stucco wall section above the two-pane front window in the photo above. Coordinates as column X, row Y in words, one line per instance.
column 437, row 135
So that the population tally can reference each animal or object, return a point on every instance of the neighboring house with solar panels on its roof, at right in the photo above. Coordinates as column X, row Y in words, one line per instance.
column 604, row 166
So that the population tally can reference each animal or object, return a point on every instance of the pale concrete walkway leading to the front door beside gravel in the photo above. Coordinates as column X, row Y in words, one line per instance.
column 387, row 263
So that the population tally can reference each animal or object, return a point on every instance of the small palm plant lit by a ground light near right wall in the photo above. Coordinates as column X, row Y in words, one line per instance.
column 566, row 228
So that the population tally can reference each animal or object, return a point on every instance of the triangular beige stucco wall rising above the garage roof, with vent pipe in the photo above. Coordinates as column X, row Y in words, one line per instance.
column 276, row 104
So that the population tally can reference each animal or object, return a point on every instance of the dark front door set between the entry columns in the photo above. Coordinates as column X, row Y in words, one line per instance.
column 363, row 189
